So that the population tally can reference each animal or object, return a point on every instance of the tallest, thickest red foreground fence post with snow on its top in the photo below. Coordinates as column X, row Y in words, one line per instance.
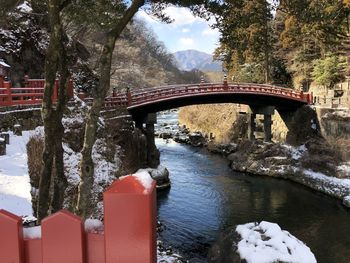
column 130, row 222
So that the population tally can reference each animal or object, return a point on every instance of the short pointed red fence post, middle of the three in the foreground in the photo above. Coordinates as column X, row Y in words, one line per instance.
column 62, row 238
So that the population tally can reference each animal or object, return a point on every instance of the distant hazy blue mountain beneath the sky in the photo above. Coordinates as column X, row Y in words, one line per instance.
column 193, row 59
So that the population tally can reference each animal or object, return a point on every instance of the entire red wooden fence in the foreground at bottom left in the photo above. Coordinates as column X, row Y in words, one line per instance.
column 129, row 234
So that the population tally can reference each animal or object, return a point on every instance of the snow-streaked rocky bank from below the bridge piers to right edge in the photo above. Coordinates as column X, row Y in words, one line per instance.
column 297, row 164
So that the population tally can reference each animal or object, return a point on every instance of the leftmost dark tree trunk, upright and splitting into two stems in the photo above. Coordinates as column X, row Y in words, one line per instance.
column 55, row 61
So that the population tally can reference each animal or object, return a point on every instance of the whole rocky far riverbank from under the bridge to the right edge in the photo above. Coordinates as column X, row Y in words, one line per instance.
column 315, row 164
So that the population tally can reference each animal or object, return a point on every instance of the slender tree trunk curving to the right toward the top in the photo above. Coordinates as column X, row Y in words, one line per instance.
column 83, row 207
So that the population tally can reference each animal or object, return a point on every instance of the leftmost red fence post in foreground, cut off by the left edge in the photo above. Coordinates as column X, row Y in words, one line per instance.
column 11, row 238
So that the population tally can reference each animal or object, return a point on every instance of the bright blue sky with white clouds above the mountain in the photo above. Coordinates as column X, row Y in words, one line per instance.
column 186, row 32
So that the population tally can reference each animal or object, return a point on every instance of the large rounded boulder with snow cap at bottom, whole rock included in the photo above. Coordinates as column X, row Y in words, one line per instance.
column 259, row 242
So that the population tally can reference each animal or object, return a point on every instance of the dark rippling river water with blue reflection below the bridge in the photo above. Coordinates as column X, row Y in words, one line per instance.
column 207, row 197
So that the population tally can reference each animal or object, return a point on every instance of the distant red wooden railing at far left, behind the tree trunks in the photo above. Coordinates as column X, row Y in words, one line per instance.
column 31, row 94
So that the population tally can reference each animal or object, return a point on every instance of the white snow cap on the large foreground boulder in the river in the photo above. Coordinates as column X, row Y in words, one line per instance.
column 266, row 243
